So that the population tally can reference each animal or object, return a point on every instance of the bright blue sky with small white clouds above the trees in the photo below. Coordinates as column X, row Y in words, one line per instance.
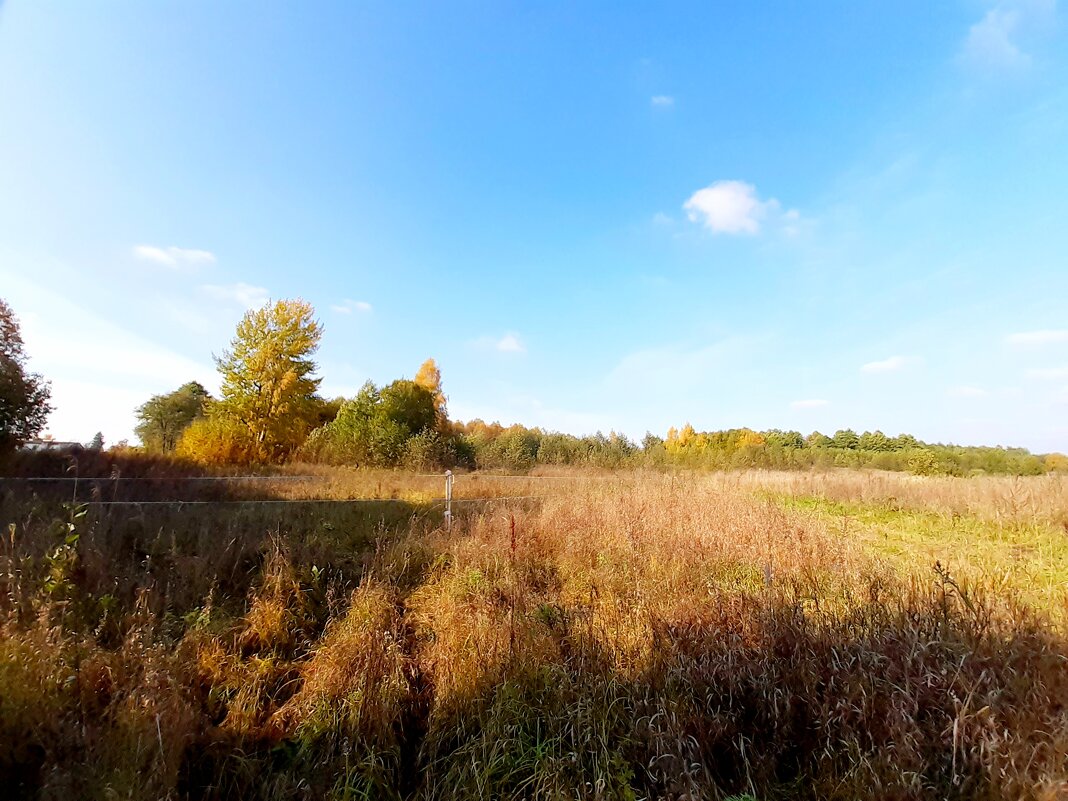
column 594, row 216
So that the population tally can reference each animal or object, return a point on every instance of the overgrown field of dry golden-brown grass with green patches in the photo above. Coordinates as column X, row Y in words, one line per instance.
column 617, row 636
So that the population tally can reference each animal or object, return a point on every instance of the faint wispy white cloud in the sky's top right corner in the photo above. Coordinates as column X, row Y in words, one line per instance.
column 995, row 41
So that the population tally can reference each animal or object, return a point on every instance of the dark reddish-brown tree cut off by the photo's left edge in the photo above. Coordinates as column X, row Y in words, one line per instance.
column 24, row 396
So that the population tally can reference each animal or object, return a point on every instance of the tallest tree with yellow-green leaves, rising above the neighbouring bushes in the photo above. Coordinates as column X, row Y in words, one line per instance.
column 268, row 382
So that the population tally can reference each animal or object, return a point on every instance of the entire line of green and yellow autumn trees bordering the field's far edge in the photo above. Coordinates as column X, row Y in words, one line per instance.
column 271, row 411
